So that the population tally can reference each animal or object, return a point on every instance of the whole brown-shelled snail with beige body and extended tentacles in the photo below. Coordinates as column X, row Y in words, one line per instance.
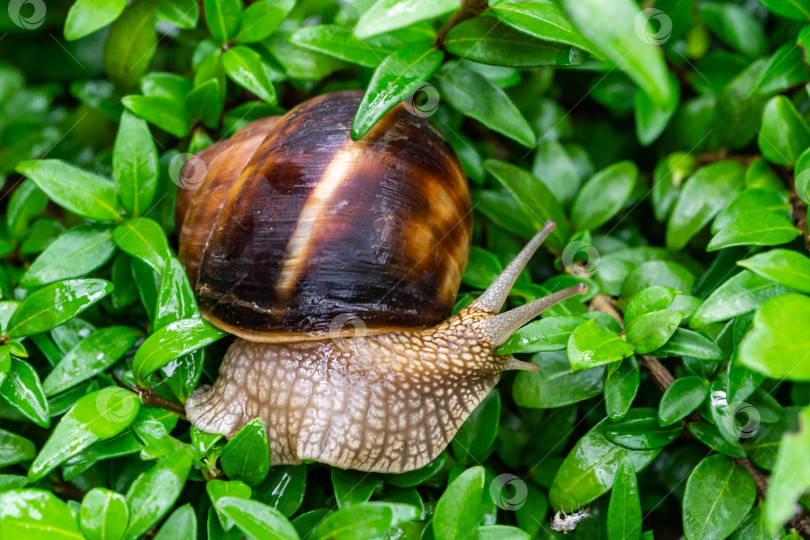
column 336, row 263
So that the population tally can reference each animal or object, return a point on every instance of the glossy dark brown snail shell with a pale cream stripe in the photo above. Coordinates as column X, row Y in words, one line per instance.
column 307, row 230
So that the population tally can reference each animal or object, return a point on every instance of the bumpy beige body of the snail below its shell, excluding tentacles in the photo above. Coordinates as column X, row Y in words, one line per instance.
column 386, row 403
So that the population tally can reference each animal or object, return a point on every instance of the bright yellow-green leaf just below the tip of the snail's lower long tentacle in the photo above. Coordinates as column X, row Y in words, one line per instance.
column 591, row 345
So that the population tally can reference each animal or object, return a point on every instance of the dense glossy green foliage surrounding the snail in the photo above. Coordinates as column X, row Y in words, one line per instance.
column 669, row 141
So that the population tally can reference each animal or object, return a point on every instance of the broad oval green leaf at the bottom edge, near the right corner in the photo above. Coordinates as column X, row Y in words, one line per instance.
column 718, row 495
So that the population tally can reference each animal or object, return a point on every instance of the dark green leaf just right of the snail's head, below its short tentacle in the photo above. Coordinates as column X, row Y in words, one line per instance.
column 555, row 384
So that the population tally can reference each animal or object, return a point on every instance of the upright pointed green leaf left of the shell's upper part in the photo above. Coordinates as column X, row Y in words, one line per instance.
column 135, row 166
